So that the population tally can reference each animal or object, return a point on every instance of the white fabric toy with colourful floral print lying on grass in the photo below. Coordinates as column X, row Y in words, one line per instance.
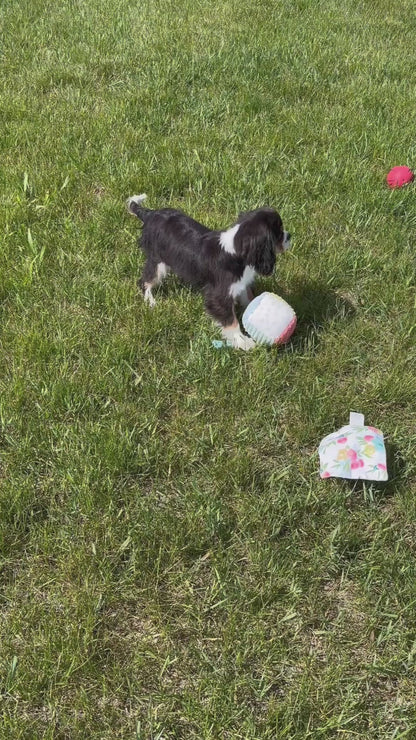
column 355, row 451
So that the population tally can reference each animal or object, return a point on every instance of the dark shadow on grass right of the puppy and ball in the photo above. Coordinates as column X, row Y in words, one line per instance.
column 316, row 305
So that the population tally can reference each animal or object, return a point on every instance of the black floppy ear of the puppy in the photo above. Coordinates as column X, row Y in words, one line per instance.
column 255, row 243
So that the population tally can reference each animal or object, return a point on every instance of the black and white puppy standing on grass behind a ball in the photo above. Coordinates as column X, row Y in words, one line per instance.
column 222, row 264
